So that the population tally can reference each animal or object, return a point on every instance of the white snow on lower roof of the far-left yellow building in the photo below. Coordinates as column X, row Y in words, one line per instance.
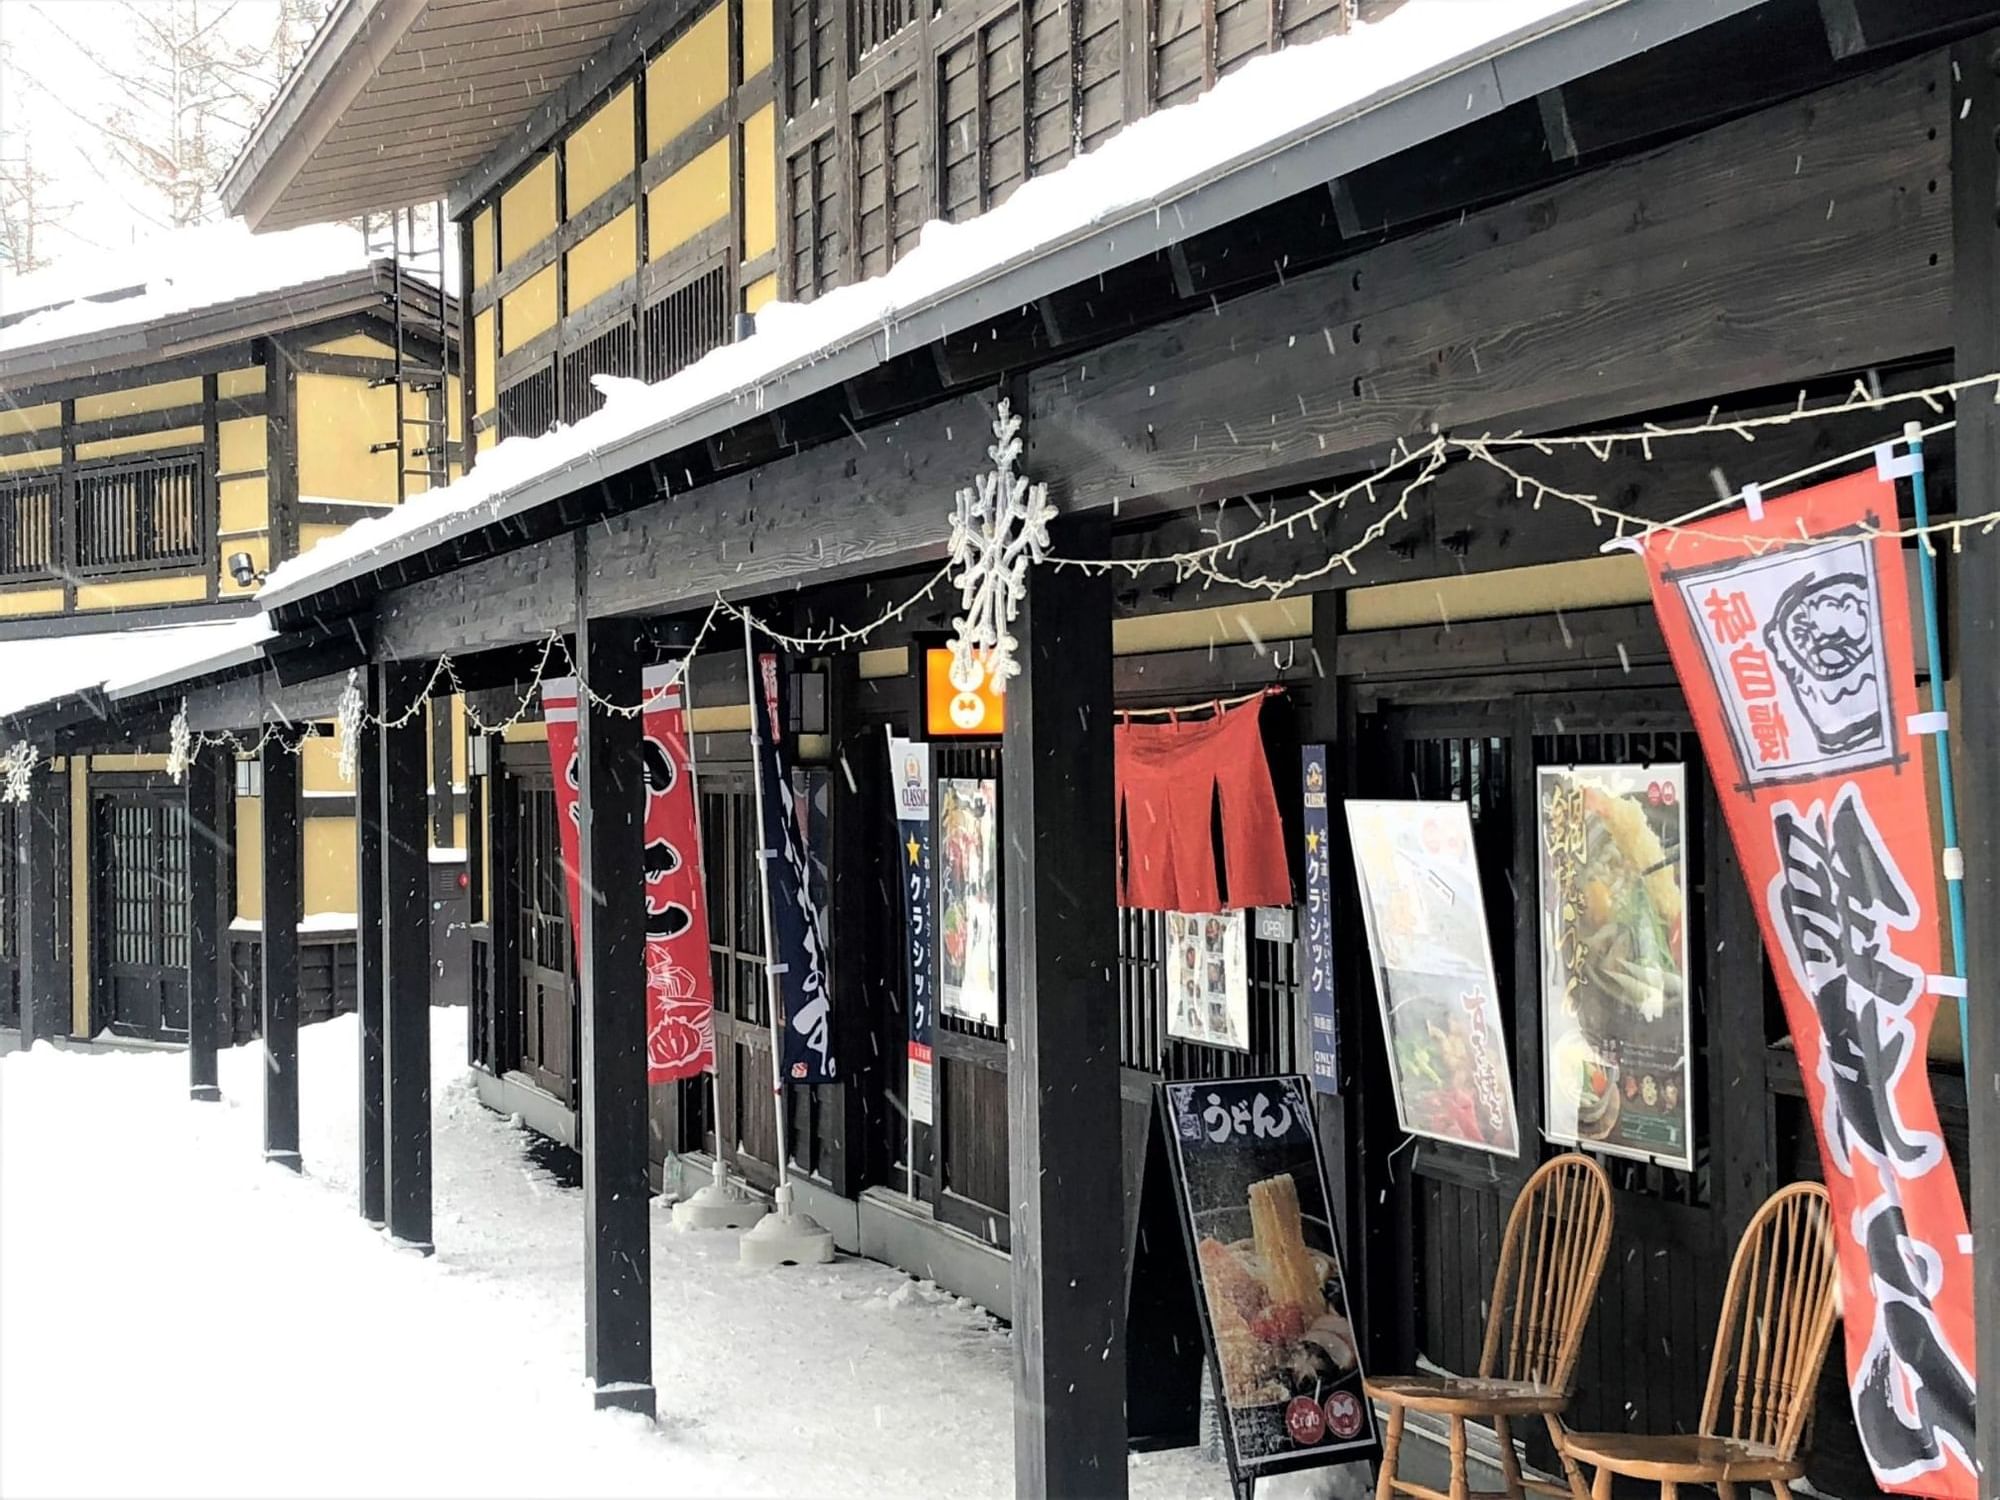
column 123, row 663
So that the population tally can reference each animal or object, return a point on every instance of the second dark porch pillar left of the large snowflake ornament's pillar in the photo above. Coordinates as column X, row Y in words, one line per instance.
column 405, row 829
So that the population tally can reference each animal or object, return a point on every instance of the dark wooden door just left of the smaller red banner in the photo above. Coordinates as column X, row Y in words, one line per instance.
column 547, row 951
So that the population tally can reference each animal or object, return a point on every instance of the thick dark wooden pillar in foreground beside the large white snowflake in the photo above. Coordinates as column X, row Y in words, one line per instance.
column 1061, row 937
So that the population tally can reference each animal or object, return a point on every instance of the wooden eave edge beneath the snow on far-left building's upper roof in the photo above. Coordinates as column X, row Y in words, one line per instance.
column 197, row 331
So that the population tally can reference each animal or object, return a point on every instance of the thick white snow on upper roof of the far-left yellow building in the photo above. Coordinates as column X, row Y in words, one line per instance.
column 169, row 277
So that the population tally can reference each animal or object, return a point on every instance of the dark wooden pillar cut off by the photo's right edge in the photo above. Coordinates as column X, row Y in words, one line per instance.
column 1977, row 329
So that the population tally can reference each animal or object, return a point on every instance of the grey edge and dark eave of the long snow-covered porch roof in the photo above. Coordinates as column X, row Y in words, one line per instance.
column 793, row 409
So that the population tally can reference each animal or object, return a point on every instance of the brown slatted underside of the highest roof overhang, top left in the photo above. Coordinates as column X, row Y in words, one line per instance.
column 397, row 101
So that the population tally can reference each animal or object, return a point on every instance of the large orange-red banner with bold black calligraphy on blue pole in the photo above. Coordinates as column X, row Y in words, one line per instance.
column 1791, row 637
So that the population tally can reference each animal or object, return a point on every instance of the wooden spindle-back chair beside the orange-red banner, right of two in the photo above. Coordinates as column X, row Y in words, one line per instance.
column 1777, row 1323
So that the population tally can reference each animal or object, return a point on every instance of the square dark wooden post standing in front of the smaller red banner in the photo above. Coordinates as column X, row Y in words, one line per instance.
column 613, row 991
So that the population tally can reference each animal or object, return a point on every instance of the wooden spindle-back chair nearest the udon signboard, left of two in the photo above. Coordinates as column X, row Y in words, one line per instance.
column 1551, row 1261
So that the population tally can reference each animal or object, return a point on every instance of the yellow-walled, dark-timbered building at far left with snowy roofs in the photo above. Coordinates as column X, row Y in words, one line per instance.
column 165, row 441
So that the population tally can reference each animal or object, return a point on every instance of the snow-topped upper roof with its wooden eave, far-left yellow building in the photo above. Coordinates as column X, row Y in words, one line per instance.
column 179, row 295
